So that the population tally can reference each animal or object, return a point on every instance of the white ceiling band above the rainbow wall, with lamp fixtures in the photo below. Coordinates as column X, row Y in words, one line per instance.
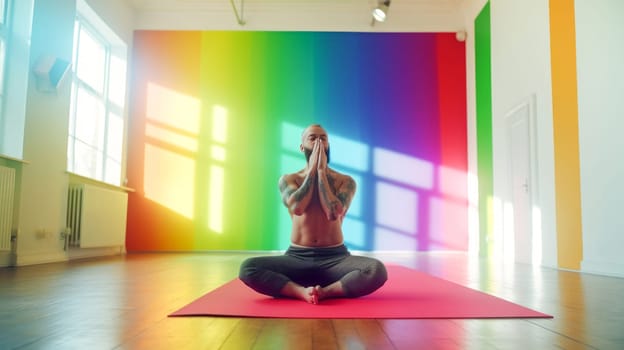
column 323, row 15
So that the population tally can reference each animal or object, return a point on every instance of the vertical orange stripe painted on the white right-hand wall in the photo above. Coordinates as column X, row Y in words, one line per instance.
column 565, row 129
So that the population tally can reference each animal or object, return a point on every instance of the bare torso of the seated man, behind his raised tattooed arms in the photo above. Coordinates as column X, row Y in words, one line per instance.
column 312, row 228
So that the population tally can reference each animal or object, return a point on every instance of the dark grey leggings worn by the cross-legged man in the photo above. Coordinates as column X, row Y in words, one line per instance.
column 314, row 266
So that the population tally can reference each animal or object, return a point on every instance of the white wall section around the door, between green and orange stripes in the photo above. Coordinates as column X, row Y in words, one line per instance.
column 521, row 71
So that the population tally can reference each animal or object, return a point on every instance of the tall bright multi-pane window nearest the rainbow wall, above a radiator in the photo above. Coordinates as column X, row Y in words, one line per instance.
column 96, row 121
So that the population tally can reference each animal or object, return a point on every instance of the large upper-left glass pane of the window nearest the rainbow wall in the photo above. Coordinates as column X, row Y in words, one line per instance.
column 91, row 61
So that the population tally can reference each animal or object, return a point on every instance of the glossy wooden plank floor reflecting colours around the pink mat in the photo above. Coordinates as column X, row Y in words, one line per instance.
column 123, row 302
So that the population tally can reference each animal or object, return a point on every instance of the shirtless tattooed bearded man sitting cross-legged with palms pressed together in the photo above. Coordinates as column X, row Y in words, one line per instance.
column 317, row 265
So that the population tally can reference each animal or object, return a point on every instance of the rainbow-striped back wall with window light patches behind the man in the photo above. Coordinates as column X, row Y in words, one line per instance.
column 216, row 118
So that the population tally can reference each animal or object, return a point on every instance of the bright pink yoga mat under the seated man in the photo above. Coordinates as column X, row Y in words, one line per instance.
column 407, row 294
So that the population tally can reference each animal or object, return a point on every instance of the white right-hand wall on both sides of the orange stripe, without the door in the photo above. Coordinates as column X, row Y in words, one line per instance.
column 520, row 69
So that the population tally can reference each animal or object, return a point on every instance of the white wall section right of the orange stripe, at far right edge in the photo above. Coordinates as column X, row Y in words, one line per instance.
column 600, row 55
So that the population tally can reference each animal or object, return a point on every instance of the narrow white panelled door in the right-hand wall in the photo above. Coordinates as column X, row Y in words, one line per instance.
column 520, row 191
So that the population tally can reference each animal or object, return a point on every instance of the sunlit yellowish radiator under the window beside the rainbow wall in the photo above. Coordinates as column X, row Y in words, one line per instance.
column 96, row 216
